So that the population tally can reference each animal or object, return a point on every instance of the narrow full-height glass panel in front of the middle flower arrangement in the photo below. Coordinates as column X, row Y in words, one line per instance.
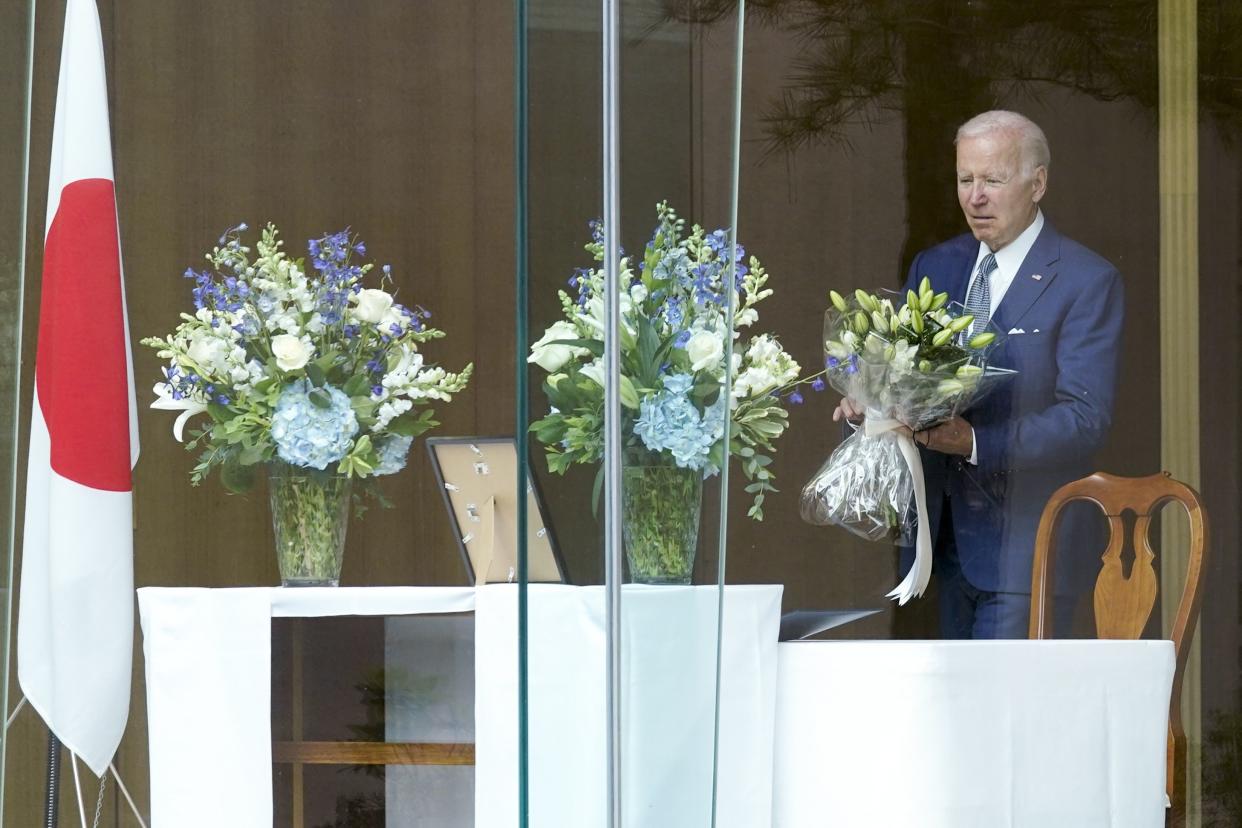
column 675, row 107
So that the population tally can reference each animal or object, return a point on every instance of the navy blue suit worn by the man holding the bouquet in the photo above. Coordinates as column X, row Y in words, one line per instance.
column 1041, row 429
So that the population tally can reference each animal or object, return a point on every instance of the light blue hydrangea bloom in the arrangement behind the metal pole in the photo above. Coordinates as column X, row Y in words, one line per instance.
column 669, row 421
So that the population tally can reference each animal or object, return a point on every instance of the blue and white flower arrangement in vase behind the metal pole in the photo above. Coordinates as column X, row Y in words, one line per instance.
column 678, row 426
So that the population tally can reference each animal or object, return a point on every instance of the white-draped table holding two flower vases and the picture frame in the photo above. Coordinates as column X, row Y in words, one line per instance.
column 209, row 682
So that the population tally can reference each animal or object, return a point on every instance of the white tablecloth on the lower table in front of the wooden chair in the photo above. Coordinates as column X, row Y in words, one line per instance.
column 1017, row 734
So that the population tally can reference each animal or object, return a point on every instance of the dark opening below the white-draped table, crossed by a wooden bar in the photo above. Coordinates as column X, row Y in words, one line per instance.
column 373, row 721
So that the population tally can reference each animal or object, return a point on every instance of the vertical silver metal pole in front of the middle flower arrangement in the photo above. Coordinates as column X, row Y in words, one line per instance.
column 612, row 395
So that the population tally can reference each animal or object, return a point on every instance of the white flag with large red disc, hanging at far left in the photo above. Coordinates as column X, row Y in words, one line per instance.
column 75, row 625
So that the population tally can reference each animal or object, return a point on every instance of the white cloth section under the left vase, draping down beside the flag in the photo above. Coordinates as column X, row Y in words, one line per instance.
column 209, row 688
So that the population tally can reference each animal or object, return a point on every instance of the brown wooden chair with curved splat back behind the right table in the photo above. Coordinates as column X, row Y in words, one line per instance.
column 1123, row 605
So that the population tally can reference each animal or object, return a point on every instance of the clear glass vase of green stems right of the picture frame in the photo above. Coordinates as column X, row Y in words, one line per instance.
column 661, row 507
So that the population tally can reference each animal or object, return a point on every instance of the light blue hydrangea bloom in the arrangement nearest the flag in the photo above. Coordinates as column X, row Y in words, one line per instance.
column 307, row 435
